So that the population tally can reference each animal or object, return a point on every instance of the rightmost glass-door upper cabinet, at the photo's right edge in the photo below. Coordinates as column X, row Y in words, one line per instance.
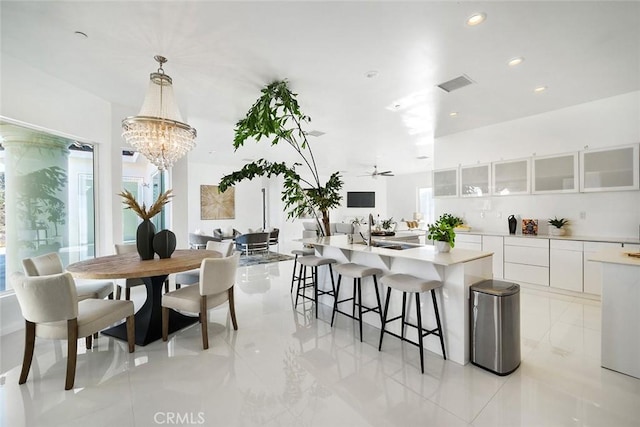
column 609, row 169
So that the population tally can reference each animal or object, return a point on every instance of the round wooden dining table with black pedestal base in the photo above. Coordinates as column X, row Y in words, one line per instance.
column 148, row 319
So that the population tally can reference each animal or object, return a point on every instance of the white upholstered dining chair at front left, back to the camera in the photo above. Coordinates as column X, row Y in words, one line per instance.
column 51, row 309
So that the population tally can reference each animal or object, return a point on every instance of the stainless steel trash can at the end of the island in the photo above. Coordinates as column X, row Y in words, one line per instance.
column 495, row 326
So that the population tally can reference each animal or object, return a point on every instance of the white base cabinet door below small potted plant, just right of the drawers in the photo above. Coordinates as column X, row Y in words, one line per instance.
column 565, row 264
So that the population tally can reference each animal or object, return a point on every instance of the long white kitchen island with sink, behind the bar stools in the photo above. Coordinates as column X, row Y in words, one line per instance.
column 457, row 270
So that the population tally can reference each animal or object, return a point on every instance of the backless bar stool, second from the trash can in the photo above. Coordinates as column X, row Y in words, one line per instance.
column 357, row 272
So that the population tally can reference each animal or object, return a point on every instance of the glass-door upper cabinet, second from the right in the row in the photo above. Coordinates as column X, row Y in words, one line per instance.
column 555, row 174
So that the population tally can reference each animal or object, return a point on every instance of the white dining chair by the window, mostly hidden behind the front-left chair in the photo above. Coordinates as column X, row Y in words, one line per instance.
column 51, row 263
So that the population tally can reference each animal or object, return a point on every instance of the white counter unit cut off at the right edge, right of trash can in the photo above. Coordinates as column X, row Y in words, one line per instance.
column 620, row 338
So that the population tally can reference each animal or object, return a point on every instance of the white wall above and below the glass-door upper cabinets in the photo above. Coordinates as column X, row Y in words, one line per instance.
column 607, row 122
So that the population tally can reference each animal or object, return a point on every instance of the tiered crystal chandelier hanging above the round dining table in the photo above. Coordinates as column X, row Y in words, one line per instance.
column 158, row 131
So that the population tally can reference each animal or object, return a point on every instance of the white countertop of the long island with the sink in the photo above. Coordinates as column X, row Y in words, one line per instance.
column 417, row 252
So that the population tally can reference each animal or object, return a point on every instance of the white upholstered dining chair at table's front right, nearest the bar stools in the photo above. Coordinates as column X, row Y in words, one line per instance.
column 215, row 286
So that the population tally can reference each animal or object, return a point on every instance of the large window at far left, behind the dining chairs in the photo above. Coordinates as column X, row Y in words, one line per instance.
column 46, row 198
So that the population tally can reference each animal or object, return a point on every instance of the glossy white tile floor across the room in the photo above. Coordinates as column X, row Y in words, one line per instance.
column 284, row 367
